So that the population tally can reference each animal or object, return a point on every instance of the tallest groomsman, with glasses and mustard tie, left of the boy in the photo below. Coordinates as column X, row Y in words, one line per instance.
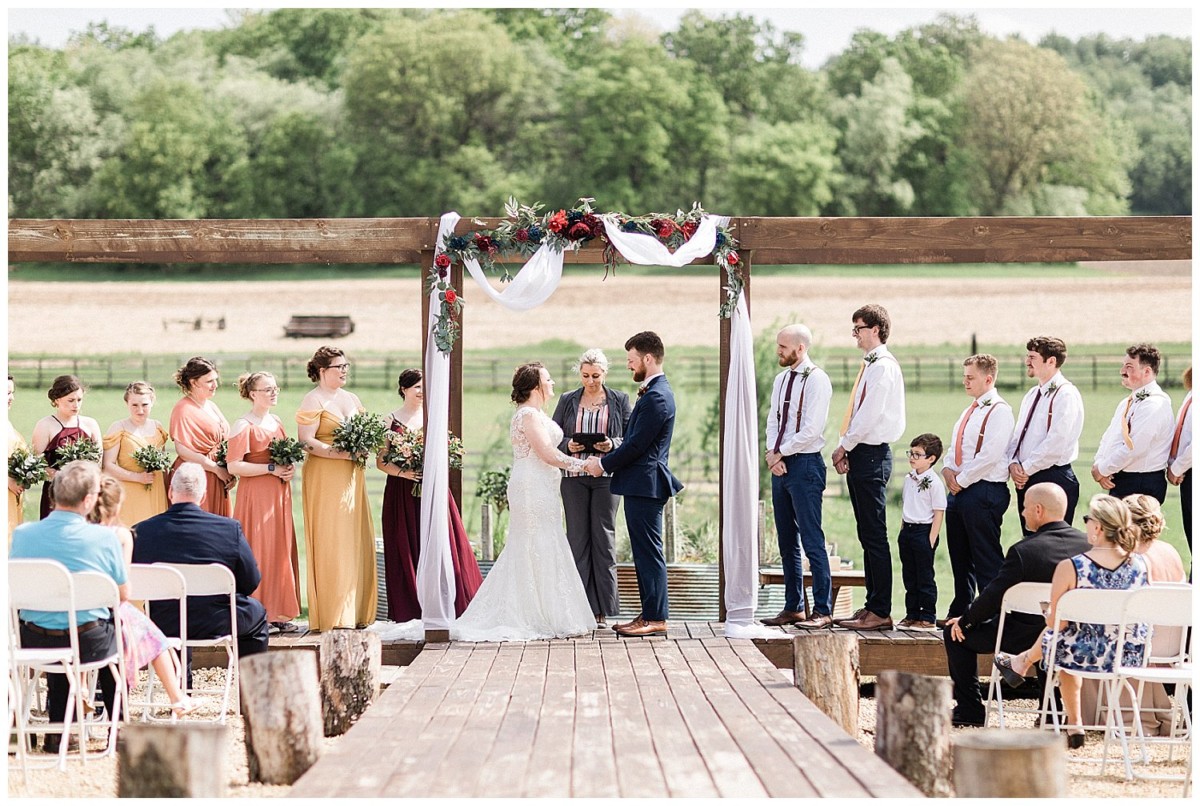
column 874, row 419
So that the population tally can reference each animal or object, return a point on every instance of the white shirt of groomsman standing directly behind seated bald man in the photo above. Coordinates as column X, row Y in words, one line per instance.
column 1053, row 436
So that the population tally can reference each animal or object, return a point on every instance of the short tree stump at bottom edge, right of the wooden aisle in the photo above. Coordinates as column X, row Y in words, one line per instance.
column 997, row 763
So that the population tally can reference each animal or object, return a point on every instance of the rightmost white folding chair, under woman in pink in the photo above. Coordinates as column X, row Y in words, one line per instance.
column 1168, row 661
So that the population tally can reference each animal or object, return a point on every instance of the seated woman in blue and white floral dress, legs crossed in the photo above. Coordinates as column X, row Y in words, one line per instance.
column 1109, row 564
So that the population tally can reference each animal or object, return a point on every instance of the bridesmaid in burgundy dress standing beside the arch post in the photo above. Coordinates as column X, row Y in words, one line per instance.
column 401, row 521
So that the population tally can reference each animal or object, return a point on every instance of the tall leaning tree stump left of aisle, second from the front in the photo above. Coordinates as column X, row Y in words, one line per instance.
column 281, row 706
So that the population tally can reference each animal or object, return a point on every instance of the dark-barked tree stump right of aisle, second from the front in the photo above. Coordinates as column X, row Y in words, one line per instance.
column 913, row 729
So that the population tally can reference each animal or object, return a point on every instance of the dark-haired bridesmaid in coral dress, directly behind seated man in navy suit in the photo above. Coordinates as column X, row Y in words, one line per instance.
column 197, row 426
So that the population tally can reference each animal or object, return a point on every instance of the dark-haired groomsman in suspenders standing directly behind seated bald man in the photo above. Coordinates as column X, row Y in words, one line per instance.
column 1046, row 441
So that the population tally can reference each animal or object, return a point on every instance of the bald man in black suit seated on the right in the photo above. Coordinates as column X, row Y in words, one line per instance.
column 1031, row 560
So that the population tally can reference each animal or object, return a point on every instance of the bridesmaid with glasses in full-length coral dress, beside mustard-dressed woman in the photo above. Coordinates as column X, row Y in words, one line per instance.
column 265, row 501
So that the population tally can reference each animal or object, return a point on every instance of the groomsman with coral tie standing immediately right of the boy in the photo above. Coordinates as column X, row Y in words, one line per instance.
column 976, row 473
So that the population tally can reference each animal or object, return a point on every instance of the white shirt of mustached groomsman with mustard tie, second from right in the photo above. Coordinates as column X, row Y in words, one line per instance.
column 1151, row 428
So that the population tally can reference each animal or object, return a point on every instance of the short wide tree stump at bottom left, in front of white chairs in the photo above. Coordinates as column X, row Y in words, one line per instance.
column 184, row 760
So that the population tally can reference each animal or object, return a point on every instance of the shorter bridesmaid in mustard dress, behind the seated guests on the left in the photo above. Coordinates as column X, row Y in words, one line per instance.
column 146, row 494
